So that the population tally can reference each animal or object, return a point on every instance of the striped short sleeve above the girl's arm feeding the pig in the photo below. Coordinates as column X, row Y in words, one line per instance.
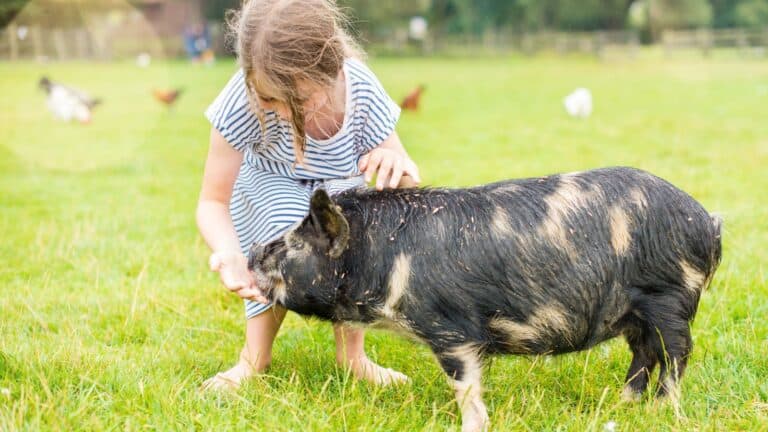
column 231, row 115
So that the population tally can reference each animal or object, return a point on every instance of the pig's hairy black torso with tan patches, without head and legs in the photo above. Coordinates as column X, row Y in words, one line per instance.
column 566, row 255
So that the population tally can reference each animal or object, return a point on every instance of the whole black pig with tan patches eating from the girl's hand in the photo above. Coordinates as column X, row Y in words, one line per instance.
column 537, row 266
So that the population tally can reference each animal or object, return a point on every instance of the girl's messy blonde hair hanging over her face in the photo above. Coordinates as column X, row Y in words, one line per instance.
column 280, row 43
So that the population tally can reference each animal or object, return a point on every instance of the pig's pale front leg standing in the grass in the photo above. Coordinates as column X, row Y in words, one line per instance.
column 463, row 364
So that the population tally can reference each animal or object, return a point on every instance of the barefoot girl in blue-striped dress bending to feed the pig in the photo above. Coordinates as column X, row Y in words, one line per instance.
column 303, row 113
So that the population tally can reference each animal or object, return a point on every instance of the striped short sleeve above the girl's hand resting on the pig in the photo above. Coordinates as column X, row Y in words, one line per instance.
column 380, row 112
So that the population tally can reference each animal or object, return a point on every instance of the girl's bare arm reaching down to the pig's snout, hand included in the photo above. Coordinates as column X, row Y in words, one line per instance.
column 214, row 221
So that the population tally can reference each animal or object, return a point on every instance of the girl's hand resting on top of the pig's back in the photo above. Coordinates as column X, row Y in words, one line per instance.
column 389, row 166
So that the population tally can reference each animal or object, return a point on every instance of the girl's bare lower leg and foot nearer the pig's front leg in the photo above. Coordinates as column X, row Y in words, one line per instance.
column 350, row 352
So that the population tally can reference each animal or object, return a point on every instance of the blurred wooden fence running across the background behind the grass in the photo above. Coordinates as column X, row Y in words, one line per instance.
column 103, row 43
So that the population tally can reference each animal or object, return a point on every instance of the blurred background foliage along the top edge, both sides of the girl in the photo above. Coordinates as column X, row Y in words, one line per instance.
column 374, row 18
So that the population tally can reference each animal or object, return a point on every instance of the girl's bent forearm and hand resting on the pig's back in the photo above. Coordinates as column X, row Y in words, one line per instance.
column 391, row 165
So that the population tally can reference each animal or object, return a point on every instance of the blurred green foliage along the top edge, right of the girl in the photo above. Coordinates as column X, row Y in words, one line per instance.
column 479, row 16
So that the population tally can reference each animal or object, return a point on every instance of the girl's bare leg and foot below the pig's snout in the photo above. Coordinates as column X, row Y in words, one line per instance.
column 260, row 332
